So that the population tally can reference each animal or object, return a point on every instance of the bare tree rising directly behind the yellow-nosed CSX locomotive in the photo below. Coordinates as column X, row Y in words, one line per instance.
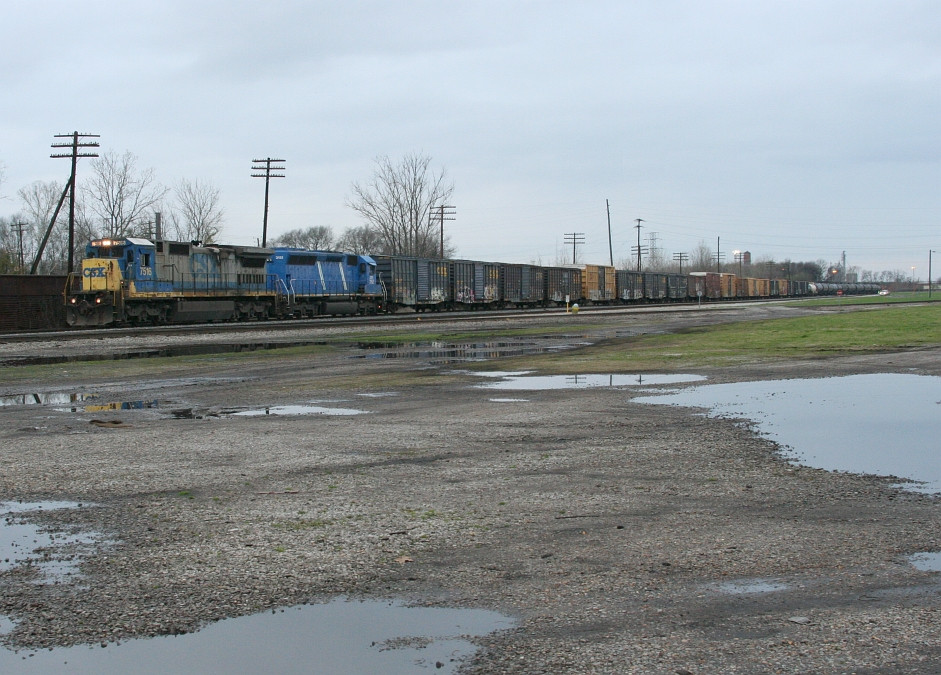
column 120, row 194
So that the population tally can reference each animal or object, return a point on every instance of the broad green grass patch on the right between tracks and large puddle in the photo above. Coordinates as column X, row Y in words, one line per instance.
column 883, row 329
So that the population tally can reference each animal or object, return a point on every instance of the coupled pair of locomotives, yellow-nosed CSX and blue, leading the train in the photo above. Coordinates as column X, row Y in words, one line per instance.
column 134, row 280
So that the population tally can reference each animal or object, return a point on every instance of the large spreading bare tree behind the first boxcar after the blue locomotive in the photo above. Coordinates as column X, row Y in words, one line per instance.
column 397, row 204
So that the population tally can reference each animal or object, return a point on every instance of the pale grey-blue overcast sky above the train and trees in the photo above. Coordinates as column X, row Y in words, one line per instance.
column 790, row 129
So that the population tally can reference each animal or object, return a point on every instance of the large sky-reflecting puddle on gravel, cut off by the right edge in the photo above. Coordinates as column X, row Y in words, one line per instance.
column 884, row 424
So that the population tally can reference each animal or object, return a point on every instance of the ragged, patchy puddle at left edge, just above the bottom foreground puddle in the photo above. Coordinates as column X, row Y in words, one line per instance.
column 55, row 556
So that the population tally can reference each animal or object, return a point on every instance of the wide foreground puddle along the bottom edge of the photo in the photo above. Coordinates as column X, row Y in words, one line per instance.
column 340, row 637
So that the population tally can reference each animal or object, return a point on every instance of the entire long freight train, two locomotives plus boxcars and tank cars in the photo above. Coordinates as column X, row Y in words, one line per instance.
column 137, row 281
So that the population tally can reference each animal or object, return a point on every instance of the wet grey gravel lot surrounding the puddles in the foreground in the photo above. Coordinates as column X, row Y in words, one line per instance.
column 621, row 537
